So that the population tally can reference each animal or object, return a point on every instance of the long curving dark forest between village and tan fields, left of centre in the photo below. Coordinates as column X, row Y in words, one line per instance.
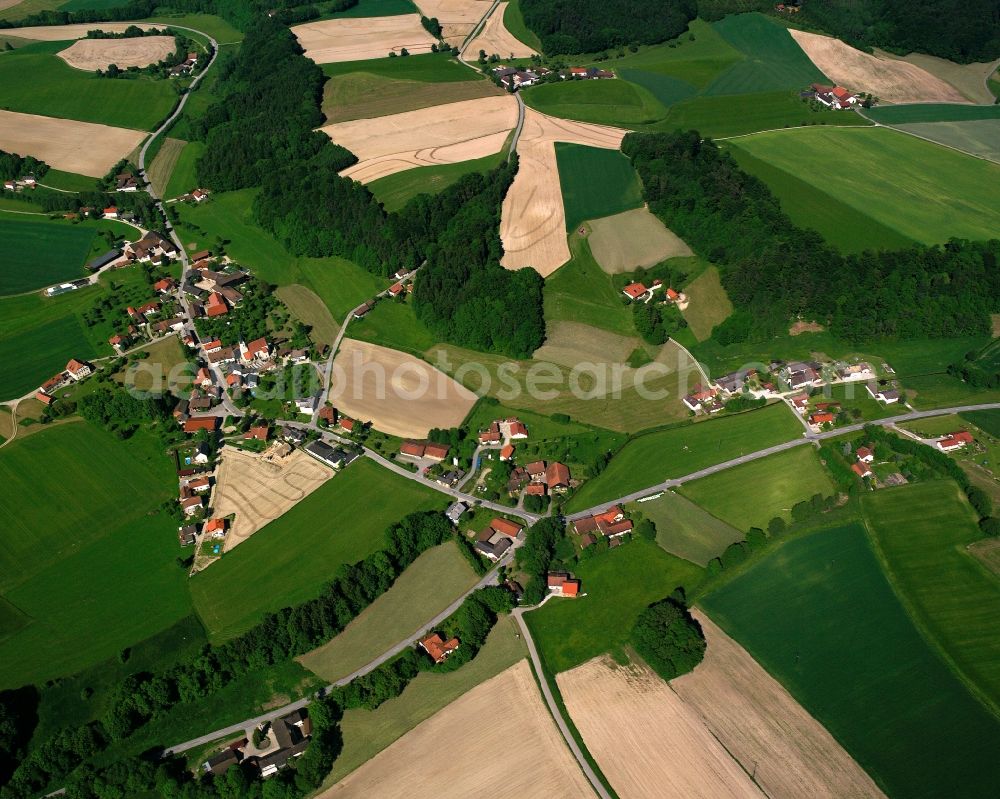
column 263, row 133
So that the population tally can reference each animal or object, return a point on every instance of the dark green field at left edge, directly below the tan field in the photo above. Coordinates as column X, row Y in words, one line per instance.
column 38, row 253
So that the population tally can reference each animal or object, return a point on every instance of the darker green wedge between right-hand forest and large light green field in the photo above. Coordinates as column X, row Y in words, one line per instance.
column 845, row 227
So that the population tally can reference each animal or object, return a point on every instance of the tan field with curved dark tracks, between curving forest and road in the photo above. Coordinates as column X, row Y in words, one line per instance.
column 443, row 134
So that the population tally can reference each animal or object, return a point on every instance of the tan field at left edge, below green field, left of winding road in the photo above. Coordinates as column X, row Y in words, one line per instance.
column 81, row 147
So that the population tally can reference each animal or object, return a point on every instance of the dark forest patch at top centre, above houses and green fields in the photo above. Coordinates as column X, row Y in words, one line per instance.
column 588, row 26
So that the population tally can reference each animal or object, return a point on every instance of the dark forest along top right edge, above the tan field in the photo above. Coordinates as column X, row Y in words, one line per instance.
column 958, row 30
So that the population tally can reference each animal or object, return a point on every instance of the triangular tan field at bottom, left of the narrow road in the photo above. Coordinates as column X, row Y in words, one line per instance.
column 496, row 740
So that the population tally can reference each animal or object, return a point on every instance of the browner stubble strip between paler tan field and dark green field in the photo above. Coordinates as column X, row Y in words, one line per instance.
column 763, row 727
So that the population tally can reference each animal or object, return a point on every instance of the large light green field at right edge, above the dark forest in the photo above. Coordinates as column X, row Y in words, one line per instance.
column 921, row 190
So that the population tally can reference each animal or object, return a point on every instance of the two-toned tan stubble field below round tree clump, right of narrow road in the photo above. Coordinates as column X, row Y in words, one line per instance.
column 705, row 733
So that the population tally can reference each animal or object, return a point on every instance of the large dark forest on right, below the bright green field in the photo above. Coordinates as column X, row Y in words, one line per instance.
column 775, row 271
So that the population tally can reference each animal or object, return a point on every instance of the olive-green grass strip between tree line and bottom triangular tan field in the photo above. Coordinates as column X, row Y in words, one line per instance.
column 368, row 732
